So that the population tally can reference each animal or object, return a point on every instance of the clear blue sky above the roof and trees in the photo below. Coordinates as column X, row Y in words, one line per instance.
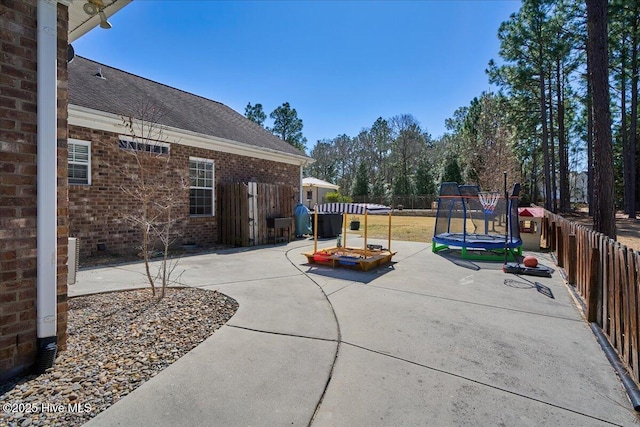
column 340, row 64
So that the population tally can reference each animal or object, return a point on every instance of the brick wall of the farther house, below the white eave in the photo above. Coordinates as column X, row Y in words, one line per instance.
column 96, row 211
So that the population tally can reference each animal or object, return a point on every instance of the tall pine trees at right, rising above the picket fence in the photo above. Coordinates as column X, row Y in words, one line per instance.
column 569, row 80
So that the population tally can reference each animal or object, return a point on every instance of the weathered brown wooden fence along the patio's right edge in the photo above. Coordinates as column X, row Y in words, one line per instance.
column 605, row 275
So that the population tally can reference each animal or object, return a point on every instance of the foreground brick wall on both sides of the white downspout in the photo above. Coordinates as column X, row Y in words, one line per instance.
column 18, row 192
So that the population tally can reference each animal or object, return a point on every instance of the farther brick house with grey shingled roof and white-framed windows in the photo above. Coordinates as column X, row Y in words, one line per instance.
column 198, row 136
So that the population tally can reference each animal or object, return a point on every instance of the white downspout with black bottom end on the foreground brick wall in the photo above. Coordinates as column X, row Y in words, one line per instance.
column 47, row 206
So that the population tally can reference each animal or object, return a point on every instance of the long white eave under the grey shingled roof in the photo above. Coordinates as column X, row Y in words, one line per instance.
column 108, row 122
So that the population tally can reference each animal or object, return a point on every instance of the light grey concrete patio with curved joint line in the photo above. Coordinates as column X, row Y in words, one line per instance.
column 430, row 340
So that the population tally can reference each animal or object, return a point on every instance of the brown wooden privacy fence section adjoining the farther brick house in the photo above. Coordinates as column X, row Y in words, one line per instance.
column 243, row 210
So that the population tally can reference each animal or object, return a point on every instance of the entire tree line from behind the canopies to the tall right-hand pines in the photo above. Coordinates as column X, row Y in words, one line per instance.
column 567, row 102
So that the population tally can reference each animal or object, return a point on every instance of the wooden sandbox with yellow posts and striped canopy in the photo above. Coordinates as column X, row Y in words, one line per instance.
column 341, row 255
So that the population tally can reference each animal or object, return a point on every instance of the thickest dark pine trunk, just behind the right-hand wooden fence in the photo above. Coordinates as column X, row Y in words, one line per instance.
column 604, row 219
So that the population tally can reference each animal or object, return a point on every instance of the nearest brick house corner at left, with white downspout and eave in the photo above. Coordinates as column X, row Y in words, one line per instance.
column 35, row 37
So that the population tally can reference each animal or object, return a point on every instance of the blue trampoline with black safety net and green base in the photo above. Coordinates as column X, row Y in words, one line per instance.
column 482, row 225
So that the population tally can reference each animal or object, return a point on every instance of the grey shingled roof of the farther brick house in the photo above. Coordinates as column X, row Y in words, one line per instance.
column 124, row 94
